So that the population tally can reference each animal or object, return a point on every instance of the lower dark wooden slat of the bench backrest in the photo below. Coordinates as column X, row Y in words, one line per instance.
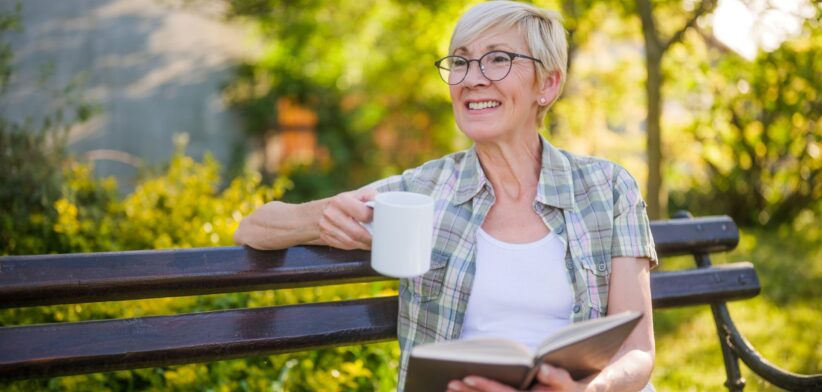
column 93, row 346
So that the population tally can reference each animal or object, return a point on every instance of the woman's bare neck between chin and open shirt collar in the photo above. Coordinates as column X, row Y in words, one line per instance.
column 512, row 166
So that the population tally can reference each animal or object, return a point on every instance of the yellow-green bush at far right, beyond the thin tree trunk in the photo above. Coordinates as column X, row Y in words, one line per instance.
column 761, row 135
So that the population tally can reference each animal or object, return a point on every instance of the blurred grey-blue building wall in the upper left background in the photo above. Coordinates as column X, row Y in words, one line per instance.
column 154, row 68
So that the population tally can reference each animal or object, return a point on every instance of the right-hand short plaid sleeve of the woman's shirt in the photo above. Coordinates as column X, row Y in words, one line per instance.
column 632, row 232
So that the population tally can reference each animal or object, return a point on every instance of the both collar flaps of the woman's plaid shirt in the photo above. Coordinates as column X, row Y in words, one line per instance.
column 555, row 181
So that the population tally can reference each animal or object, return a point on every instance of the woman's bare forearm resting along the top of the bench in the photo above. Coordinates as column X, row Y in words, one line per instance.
column 278, row 225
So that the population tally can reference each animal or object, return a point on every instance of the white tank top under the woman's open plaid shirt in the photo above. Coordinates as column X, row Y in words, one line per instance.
column 520, row 292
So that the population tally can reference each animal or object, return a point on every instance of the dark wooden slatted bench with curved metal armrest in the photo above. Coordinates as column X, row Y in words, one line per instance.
column 49, row 350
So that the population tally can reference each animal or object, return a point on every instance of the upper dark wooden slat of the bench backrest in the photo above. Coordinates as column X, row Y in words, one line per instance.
column 91, row 277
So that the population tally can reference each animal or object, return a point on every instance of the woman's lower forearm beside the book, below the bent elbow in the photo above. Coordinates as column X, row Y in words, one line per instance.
column 630, row 371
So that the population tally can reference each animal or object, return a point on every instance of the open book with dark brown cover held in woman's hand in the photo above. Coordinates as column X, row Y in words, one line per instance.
column 583, row 348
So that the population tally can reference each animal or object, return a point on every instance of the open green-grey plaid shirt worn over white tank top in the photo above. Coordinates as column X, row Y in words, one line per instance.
column 593, row 205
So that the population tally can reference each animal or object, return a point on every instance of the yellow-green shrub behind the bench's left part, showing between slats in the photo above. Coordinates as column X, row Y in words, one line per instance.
column 184, row 207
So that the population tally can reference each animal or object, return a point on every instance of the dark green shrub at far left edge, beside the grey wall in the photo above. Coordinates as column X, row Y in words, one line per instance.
column 32, row 153
